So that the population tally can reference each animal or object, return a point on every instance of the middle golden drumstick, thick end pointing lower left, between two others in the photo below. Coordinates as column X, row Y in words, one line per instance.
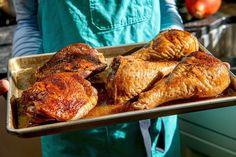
column 131, row 76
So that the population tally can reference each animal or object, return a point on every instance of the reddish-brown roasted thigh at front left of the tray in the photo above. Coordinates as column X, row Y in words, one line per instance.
column 60, row 96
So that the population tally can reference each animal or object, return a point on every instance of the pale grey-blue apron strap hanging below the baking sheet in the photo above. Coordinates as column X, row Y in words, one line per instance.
column 144, row 127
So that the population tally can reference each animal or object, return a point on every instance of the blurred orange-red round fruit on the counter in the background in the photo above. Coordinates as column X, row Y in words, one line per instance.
column 202, row 8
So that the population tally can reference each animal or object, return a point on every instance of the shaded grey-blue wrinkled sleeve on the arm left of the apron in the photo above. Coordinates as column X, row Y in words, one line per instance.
column 27, row 38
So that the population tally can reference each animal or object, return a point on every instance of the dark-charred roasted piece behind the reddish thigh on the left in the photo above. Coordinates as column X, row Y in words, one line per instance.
column 79, row 58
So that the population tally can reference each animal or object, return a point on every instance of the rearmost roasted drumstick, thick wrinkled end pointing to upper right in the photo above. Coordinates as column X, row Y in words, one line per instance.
column 169, row 45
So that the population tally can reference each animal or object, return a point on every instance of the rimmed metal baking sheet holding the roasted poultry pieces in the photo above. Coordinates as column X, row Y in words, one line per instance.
column 21, row 68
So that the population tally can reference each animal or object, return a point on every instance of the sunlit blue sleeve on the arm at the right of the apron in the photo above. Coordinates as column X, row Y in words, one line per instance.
column 170, row 17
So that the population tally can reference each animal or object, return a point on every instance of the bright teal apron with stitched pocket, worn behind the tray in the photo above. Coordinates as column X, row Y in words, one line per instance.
column 102, row 23
